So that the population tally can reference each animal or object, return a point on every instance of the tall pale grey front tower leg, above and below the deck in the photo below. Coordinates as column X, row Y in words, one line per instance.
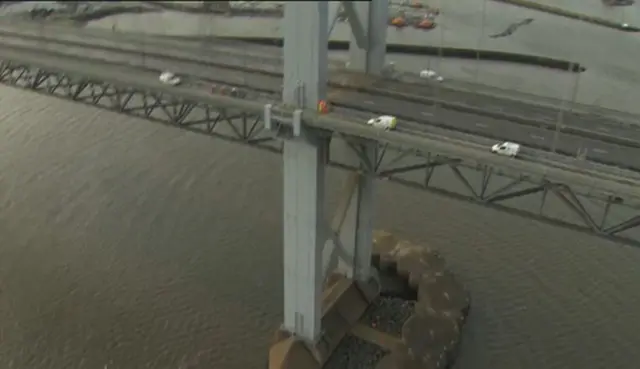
column 305, row 81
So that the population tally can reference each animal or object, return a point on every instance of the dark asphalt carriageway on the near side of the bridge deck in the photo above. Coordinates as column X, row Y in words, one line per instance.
column 450, row 122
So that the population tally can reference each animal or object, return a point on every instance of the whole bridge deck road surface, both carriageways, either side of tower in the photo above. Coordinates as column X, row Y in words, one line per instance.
column 606, row 141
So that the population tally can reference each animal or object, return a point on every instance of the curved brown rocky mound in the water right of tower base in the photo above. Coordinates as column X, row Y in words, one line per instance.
column 431, row 336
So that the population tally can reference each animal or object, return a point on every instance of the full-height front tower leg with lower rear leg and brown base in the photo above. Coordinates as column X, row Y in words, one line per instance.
column 319, row 305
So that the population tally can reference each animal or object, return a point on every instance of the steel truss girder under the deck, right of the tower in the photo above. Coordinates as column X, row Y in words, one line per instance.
column 599, row 214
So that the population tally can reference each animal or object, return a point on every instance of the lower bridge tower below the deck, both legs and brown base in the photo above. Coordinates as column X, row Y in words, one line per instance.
column 328, row 284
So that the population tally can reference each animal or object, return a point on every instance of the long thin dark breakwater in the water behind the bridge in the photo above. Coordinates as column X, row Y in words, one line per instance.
column 449, row 52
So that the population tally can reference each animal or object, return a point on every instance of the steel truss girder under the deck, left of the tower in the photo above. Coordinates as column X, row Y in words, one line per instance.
column 221, row 122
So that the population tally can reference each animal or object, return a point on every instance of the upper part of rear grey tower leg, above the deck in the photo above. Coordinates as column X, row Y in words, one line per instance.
column 367, row 47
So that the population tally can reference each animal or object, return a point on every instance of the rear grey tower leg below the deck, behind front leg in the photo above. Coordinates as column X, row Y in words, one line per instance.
column 356, row 233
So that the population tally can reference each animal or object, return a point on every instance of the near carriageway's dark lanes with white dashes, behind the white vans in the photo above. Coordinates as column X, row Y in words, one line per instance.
column 452, row 120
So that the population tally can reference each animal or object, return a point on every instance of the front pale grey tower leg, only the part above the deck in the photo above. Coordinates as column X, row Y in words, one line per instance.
column 305, row 28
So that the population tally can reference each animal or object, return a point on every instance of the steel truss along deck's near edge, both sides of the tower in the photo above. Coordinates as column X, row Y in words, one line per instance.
column 575, row 207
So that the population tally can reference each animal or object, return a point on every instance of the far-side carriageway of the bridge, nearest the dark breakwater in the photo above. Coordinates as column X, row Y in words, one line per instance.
column 226, row 52
